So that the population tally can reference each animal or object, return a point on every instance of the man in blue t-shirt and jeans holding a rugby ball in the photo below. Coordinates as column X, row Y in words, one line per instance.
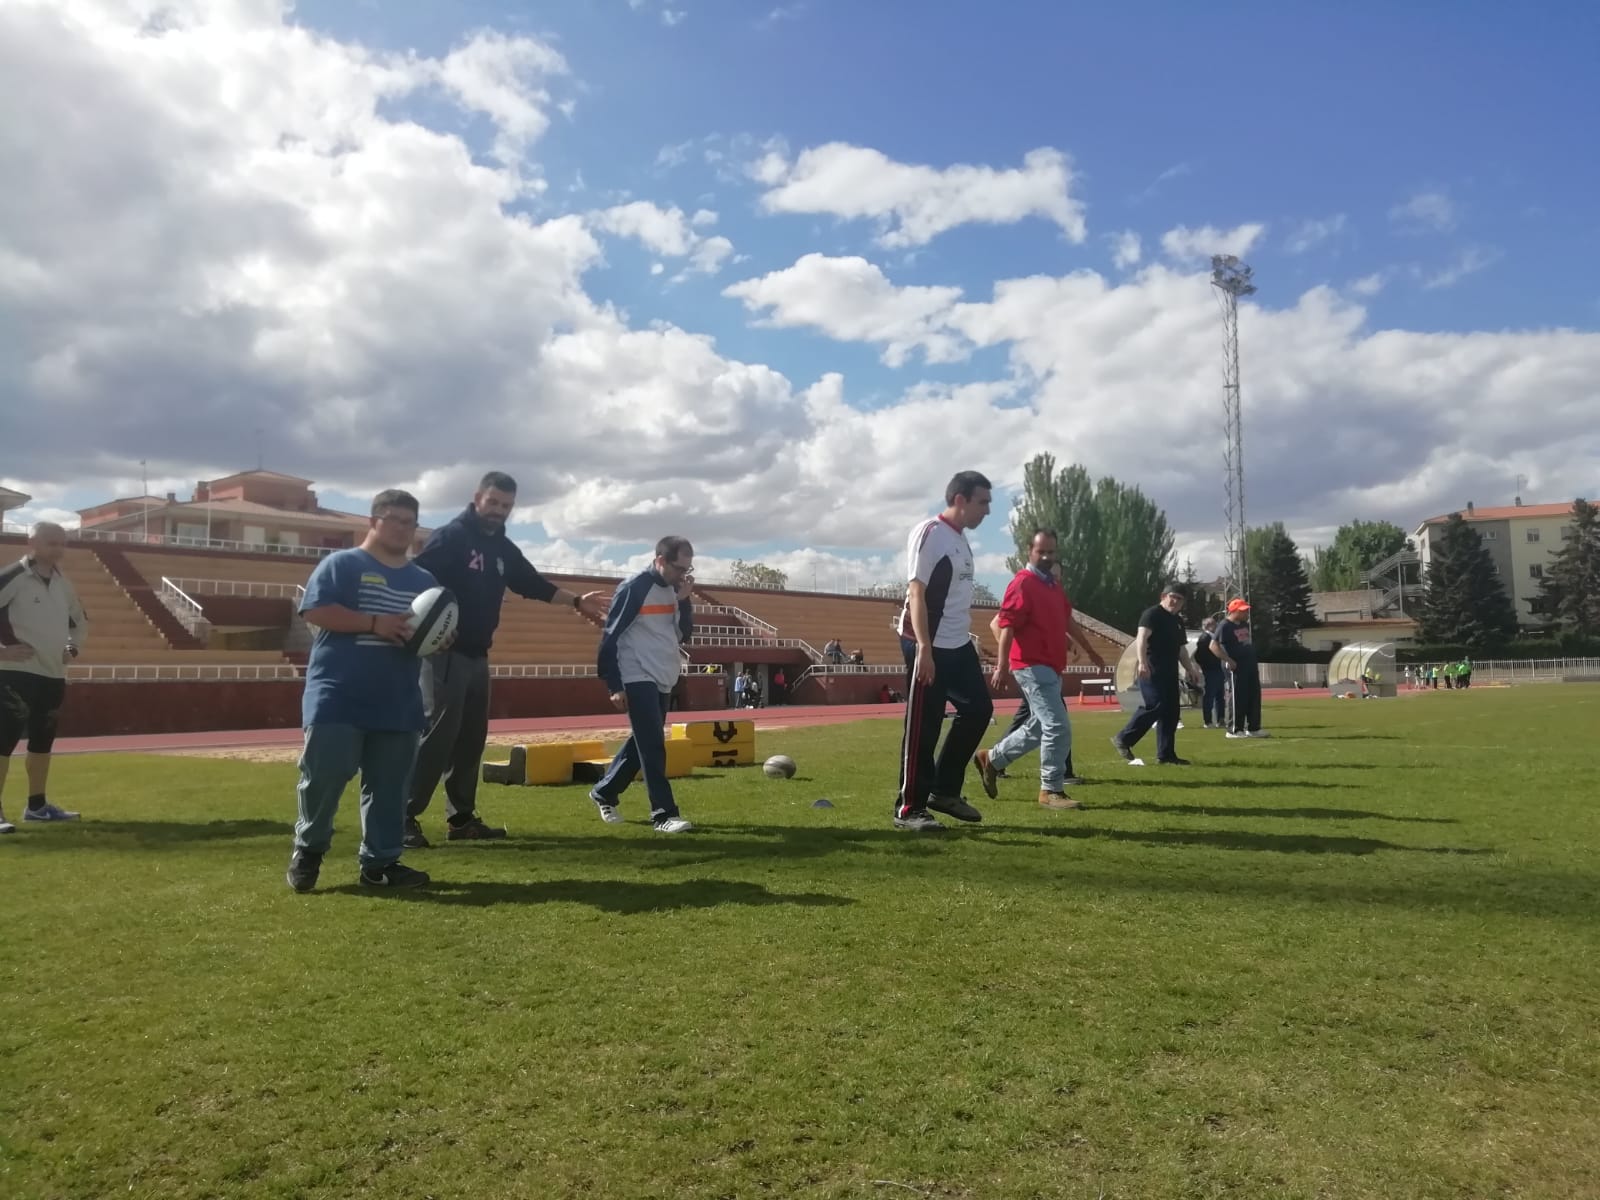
column 362, row 710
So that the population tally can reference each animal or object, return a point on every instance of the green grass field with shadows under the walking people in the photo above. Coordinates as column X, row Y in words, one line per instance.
column 1358, row 961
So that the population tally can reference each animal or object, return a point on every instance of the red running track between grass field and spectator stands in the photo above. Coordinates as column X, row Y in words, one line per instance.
column 766, row 719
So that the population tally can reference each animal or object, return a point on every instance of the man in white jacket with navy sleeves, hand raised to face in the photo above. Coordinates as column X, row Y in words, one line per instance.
column 641, row 662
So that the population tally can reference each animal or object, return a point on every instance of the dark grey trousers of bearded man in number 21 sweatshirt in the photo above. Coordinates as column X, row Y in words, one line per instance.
column 457, row 702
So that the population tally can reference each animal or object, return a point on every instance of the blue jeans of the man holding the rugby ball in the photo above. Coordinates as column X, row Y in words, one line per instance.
column 332, row 758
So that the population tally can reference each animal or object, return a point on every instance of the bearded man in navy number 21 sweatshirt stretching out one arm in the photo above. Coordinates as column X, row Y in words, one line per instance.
column 478, row 562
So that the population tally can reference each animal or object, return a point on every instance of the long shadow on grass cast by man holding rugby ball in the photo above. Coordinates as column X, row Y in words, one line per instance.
column 625, row 897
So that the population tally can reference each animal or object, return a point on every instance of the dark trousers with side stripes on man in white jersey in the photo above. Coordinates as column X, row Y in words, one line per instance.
column 959, row 681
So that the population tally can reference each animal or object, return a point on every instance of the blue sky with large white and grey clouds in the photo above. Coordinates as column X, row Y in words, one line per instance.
column 769, row 276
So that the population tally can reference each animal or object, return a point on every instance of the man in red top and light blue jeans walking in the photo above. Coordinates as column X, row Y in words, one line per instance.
column 1033, row 630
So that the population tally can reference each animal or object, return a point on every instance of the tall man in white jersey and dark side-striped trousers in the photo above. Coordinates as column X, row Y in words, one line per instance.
column 942, row 662
